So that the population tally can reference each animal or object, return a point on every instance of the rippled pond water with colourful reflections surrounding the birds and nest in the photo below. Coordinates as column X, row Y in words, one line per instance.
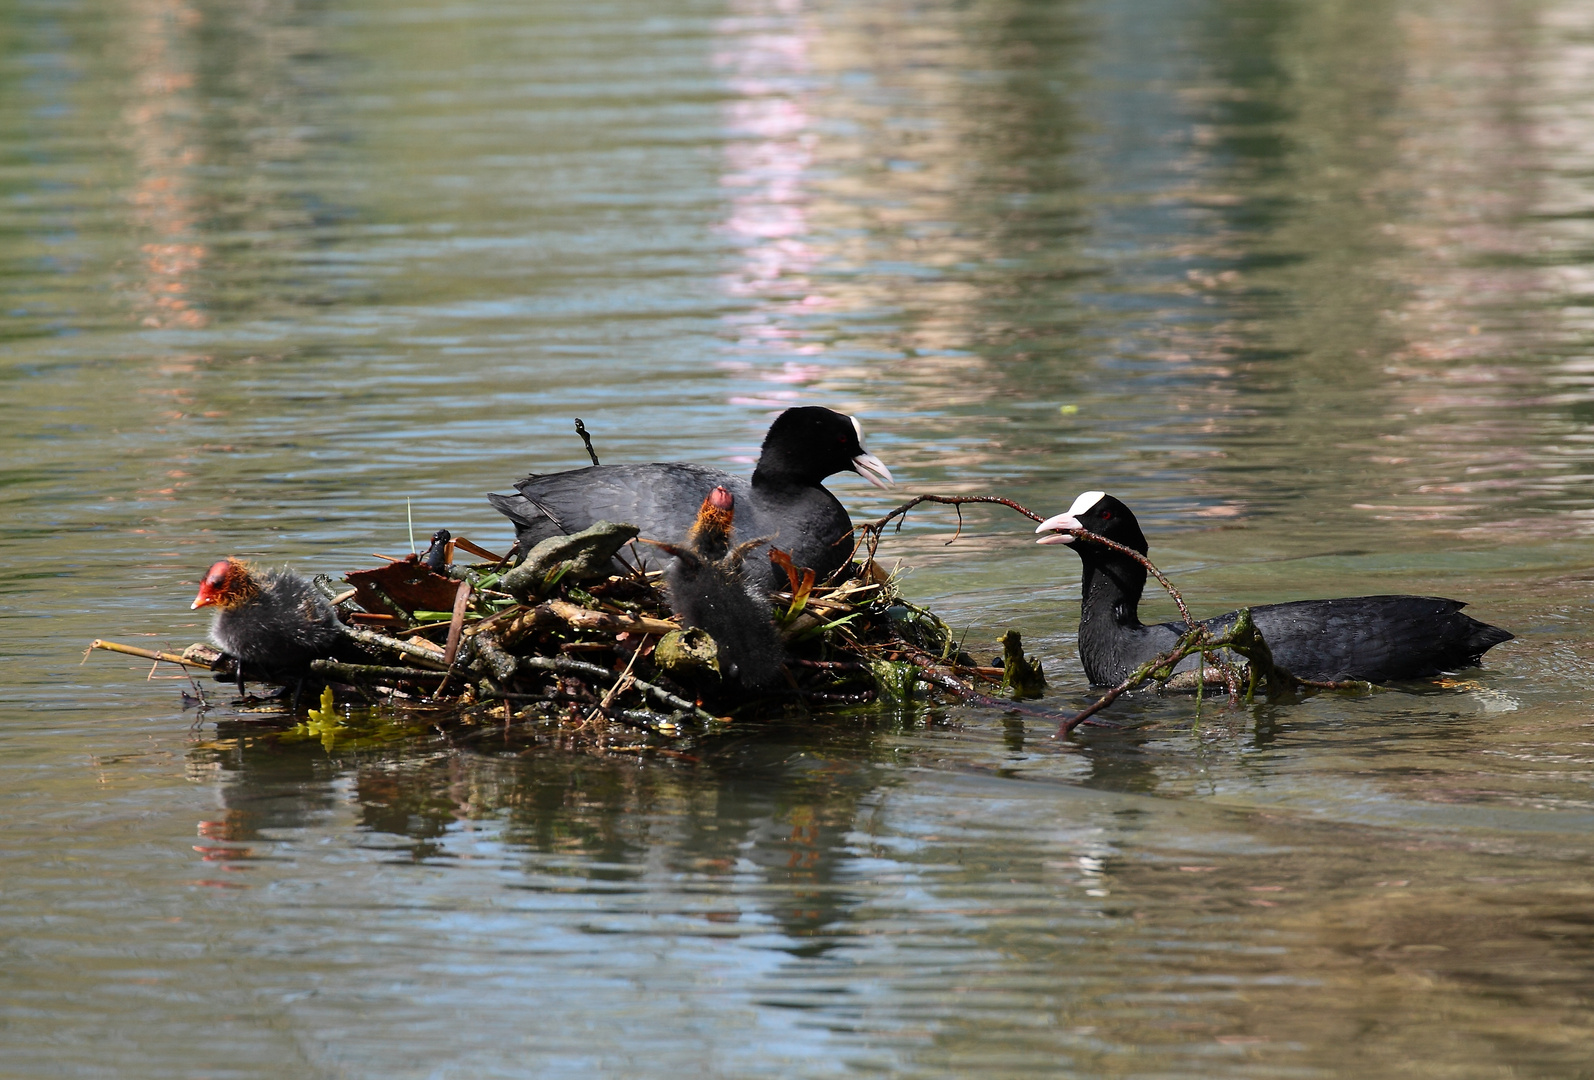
column 1303, row 283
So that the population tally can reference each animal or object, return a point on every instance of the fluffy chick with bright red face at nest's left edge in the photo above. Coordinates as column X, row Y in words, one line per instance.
column 273, row 622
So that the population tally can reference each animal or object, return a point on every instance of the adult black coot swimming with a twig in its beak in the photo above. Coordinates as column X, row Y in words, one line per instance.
column 1367, row 638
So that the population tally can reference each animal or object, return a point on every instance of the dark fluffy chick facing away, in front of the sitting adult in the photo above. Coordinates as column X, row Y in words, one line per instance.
column 710, row 589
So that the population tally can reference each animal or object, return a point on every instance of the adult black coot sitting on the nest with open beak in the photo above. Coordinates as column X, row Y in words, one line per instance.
column 785, row 499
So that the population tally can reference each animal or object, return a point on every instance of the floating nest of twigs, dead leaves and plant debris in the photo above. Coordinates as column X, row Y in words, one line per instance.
column 565, row 644
